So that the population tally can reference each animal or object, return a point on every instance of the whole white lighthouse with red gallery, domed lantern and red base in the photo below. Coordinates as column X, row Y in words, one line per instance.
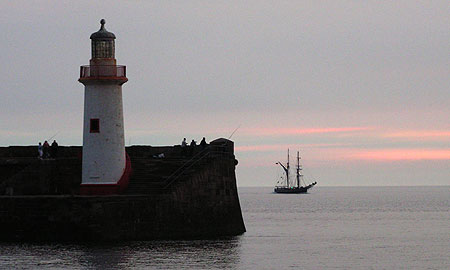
column 105, row 166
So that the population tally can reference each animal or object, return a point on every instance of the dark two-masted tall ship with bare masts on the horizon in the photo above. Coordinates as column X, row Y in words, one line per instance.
column 296, row 186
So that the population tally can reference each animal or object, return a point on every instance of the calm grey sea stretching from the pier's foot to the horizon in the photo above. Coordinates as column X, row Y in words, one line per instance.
column 330, row 228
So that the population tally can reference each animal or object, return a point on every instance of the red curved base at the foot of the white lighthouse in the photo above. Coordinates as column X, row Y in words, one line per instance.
column 109, row 189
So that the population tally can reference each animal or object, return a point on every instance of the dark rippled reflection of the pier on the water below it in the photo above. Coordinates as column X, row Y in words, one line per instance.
column 195, row 254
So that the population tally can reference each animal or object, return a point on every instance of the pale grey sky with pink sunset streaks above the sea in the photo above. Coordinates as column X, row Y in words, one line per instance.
column 360, row 88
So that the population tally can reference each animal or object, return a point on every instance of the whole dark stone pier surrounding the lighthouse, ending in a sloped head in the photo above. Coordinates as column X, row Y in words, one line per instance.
column 183, row 194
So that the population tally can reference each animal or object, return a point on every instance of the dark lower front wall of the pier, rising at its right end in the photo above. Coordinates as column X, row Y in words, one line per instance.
column 204, row 205
